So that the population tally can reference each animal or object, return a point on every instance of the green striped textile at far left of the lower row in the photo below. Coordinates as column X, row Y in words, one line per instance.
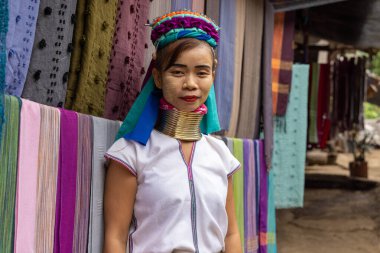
column 8, row 172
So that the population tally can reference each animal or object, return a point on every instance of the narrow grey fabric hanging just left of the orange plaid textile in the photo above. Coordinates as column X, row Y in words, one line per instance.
column 267, row 81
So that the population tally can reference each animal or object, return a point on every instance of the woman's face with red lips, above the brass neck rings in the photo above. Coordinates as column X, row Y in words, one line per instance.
column 187, row 82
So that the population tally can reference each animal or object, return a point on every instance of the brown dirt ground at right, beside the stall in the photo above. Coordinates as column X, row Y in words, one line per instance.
column 333, row 220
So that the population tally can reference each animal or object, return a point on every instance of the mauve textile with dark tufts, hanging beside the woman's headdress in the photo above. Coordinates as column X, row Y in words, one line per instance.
column 126, row 70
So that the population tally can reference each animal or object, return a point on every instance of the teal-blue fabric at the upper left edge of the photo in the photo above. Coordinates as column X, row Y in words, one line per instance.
column 3, row 59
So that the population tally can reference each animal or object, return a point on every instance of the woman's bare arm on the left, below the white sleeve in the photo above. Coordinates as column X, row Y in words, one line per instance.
column 119, row 197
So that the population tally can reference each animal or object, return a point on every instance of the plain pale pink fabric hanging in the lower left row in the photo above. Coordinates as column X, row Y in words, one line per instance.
column 26, row 194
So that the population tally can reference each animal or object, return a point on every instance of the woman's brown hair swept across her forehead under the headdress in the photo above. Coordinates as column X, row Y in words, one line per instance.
column 166, row 56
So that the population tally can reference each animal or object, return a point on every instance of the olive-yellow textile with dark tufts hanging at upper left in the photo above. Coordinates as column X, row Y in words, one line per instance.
column 99, row 31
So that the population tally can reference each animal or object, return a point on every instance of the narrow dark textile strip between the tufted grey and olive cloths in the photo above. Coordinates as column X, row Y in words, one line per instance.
column 75, row 62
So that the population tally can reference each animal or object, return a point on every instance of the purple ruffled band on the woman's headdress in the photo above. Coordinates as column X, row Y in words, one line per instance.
column 183, row 22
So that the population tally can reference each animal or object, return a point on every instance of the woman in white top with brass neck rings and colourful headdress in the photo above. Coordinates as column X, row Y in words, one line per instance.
column 169, row 187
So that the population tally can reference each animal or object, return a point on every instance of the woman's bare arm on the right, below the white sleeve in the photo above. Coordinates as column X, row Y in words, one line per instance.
column 232, row 241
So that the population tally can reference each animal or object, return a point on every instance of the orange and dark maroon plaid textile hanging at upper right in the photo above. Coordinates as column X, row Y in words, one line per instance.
column 282, row 60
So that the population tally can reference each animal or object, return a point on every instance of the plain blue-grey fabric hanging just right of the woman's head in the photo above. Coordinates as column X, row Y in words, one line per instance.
column 224, row 81
